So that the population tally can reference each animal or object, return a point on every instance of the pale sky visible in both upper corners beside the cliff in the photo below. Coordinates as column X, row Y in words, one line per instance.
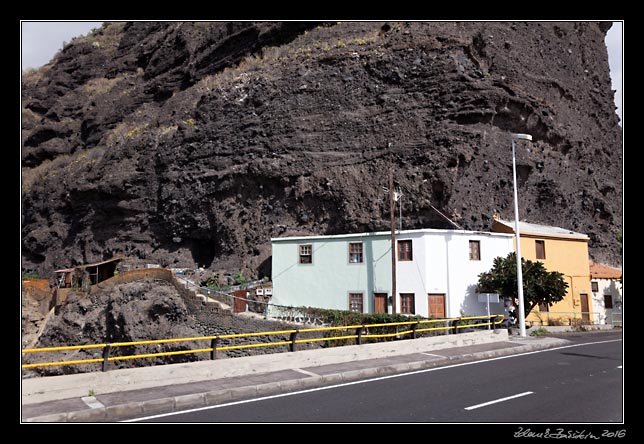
column 41, row 40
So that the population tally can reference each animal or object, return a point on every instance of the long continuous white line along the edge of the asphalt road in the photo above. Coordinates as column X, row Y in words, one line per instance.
column 366, row 381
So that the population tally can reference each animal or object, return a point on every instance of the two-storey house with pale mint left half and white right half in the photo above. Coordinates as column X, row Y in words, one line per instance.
column 436, row 271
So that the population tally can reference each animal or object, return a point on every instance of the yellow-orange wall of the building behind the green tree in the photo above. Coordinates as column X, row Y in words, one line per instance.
column 568, row 256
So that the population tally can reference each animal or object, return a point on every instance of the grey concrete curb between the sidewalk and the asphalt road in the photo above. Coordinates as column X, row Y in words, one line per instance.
column 135, row 410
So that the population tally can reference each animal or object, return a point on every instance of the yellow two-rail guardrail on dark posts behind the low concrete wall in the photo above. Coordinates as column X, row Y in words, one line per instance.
column 360, row 334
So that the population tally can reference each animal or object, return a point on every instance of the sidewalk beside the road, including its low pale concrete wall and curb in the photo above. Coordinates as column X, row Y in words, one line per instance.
column 119, row 395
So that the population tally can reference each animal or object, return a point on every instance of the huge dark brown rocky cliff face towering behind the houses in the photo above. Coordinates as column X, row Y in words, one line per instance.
column 192, row 144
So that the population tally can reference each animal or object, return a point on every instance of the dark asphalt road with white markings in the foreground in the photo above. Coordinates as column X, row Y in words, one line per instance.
column 580, row 383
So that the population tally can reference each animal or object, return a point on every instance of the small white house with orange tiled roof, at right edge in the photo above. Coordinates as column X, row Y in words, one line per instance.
column 606, row 288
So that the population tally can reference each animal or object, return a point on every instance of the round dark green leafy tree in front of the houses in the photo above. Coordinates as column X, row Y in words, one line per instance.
column 540, row 286
